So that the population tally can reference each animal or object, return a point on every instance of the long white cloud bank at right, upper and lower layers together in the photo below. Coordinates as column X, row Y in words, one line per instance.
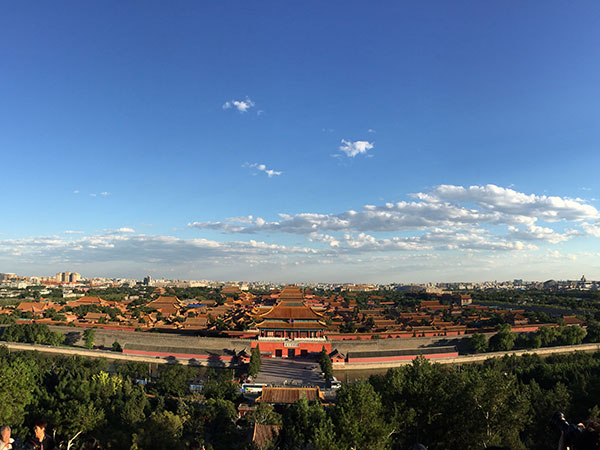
column 446, row 217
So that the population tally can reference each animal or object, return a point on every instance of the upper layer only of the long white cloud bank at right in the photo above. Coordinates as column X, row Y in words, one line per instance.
column 444, row 206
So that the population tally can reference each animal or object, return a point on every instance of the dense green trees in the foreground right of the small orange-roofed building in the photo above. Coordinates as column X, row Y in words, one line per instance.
column 504, row 402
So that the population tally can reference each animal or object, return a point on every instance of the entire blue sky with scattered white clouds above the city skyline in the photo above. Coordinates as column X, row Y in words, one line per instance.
column 337, row 141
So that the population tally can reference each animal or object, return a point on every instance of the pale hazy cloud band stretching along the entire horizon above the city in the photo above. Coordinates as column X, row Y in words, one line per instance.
column 351, row 257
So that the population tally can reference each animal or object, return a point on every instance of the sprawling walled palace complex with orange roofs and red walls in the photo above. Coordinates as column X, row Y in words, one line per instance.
column 355, row 328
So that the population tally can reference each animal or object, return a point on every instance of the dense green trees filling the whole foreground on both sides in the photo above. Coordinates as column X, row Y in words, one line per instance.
column 505, row 401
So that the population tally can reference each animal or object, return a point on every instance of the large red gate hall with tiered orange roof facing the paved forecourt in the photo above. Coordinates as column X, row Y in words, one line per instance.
column 291, row 328
